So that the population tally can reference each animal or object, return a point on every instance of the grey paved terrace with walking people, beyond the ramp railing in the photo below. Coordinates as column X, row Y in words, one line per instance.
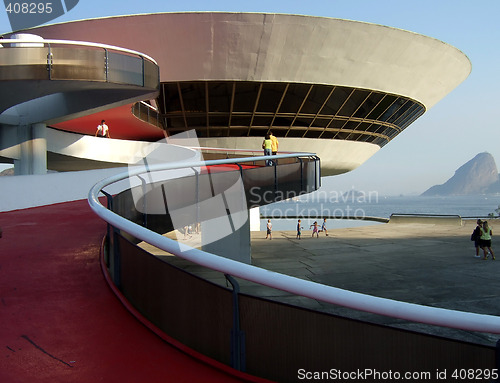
column 428, row 264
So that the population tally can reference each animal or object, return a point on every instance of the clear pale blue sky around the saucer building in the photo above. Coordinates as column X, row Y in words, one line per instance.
column 428, row 152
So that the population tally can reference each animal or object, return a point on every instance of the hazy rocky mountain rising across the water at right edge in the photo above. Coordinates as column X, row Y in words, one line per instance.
column 478, row 176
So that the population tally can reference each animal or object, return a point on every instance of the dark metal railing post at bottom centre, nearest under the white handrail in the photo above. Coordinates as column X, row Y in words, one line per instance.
column 238, row 355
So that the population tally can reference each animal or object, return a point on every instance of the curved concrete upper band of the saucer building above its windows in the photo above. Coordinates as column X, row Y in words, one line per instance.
column 282, row 48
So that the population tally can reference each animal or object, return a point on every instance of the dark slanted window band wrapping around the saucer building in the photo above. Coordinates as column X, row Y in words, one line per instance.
column 242, row 109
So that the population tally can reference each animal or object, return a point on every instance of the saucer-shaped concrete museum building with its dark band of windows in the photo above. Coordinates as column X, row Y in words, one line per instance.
column 342, row 89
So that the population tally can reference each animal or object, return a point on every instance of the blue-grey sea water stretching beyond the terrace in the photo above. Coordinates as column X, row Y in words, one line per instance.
column 373, row 205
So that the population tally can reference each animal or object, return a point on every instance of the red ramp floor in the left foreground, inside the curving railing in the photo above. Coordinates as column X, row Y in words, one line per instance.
column 60, row 322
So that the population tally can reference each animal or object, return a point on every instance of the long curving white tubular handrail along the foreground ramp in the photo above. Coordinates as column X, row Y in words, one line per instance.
column 376, row 305
